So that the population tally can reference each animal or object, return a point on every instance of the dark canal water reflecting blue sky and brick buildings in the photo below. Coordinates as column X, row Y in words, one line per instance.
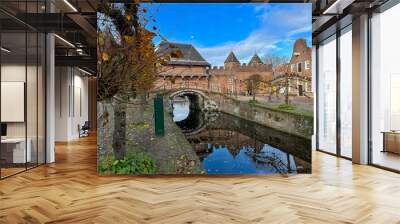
column 226, row 144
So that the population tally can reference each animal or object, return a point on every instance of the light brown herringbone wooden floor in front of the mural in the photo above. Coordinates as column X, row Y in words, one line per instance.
column 70, row 191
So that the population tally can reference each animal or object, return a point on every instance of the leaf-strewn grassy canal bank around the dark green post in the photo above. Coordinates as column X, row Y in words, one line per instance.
column 171, row 154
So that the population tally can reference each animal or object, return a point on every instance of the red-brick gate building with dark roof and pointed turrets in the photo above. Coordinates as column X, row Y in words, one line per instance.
column 186, row 68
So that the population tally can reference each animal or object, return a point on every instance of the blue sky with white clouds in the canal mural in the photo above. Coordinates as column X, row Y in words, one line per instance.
column 245, row 28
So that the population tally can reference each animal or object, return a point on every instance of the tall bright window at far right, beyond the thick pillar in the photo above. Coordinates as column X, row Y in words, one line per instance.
column 385, row 89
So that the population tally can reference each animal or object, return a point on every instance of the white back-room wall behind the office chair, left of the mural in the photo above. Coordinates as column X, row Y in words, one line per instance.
column 71, row 102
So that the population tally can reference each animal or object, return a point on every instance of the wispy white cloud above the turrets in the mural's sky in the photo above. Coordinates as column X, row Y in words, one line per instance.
column 278, row 25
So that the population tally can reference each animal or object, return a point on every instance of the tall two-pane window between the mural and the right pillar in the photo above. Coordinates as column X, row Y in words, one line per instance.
column 329, row 113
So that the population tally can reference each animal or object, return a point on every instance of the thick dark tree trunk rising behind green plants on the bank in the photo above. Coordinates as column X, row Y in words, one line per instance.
column 119, row 140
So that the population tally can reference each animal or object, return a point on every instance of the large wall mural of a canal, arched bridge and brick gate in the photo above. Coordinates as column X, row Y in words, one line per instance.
column 204, row 88
